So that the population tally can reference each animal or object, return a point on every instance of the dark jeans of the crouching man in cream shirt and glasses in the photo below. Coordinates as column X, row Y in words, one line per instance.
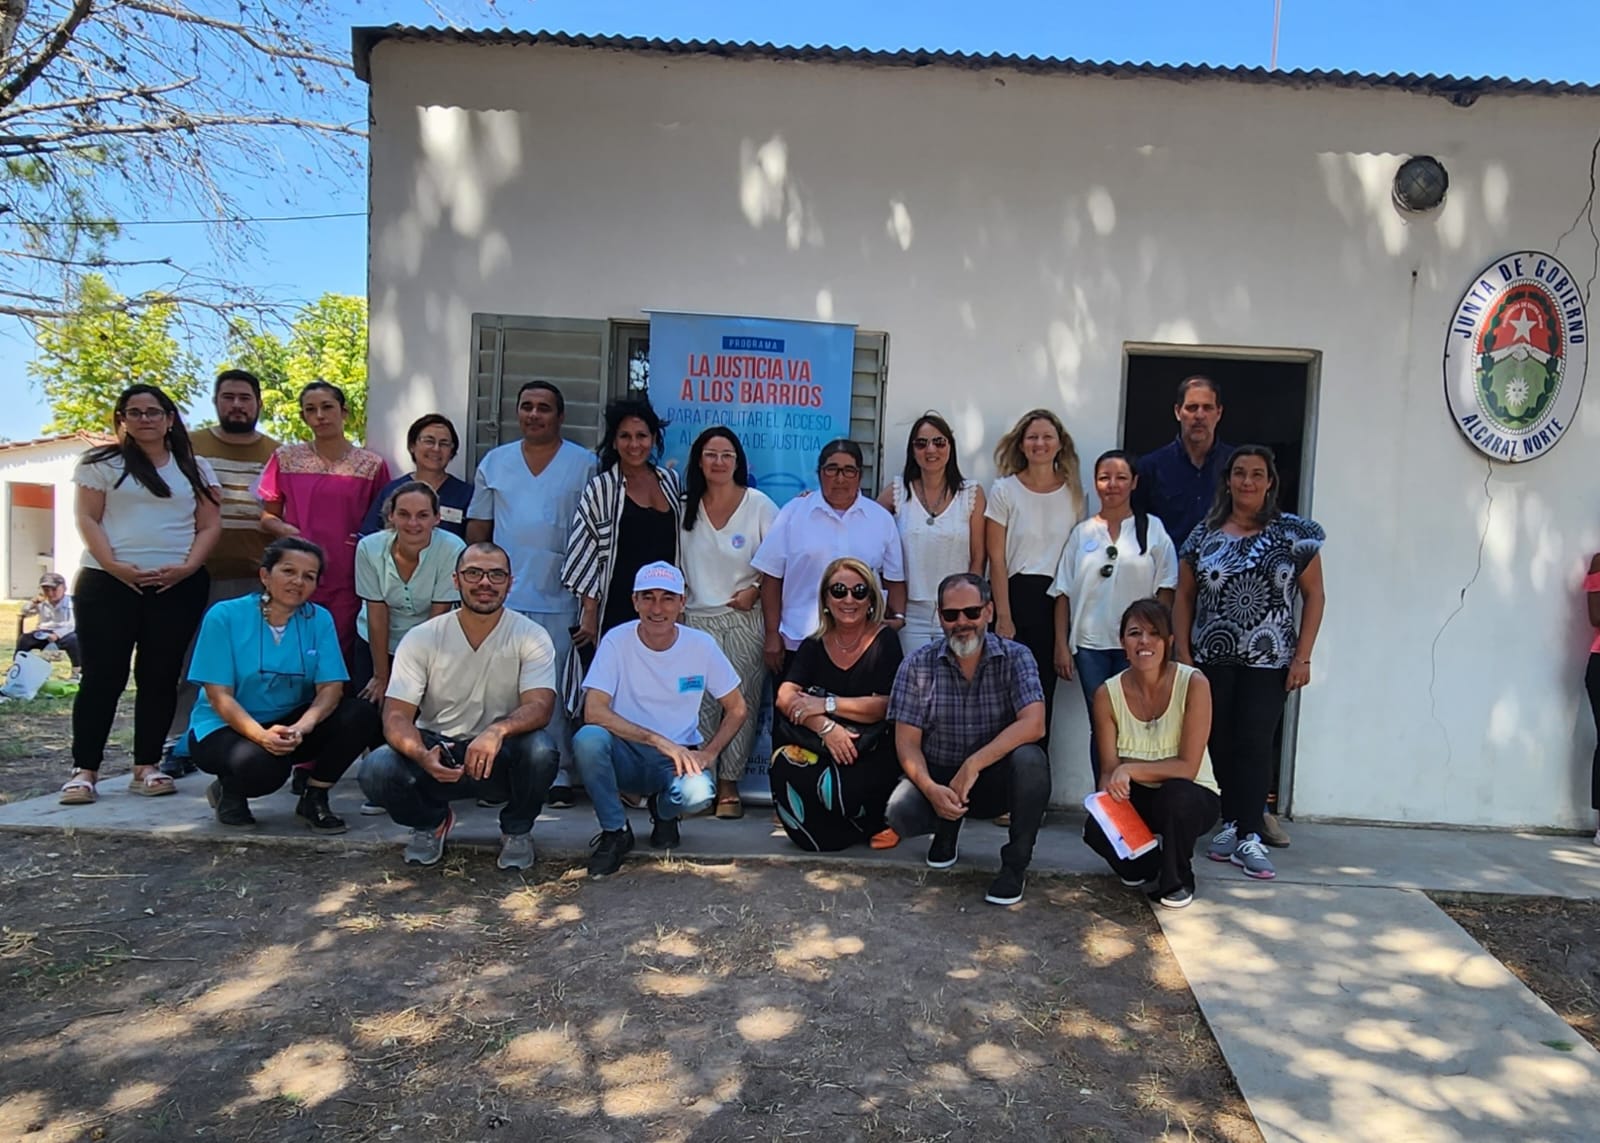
column 521, row 777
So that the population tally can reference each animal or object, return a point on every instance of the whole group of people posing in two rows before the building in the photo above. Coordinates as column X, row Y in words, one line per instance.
column 610, row 622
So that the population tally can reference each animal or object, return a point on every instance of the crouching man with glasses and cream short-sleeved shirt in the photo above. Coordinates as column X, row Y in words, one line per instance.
column 468, row 705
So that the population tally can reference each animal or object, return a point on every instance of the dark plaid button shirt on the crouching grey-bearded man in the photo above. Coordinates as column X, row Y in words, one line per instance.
column 959, row 716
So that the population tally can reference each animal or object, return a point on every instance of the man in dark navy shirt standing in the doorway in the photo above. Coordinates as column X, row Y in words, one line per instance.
column 1180, row 479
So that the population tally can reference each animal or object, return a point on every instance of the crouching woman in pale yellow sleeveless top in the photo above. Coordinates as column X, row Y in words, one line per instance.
column 1151, row 724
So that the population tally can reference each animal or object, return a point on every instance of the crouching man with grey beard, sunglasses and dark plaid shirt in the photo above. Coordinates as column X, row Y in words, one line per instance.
column 969, row 713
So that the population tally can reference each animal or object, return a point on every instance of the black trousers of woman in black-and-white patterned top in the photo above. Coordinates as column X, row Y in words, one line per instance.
column 1247, row 707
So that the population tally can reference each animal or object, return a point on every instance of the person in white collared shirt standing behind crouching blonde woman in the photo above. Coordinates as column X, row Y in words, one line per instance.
column 809, row 534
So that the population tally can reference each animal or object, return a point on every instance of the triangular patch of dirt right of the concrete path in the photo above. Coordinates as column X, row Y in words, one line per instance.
column 1551, row 944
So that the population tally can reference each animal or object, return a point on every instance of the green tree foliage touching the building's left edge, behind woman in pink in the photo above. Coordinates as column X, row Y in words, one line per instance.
column 327, row 342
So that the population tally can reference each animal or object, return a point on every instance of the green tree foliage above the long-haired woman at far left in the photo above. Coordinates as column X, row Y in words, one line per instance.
column 86, row 359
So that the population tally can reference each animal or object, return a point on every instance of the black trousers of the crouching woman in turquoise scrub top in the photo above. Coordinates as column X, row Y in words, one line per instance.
column 330, row 748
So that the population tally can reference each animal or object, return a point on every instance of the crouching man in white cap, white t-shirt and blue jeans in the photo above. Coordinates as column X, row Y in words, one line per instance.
column 642, row 700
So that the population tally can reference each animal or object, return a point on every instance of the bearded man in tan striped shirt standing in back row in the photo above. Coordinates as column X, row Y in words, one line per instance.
column 238, row 454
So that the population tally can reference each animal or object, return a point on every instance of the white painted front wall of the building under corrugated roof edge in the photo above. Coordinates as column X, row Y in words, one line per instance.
column 1010, row 233
